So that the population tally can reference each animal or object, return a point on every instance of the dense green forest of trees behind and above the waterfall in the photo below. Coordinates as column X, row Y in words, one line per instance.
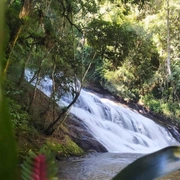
column 130, row 48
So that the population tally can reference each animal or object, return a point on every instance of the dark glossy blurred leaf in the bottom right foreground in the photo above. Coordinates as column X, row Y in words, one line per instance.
column 151, row 166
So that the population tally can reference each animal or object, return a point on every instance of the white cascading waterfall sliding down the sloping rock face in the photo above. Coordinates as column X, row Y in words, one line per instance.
column 118, row 128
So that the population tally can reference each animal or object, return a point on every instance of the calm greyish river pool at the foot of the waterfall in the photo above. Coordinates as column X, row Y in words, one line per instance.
column 99, row 166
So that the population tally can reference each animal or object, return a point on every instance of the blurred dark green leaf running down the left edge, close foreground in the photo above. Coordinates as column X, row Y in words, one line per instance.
column 8, row 156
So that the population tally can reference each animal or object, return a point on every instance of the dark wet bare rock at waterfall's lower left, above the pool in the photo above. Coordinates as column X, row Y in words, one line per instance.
column 81, row 135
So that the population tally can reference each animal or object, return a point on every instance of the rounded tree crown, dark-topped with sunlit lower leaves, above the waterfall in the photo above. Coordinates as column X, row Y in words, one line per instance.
column 128, row 57
